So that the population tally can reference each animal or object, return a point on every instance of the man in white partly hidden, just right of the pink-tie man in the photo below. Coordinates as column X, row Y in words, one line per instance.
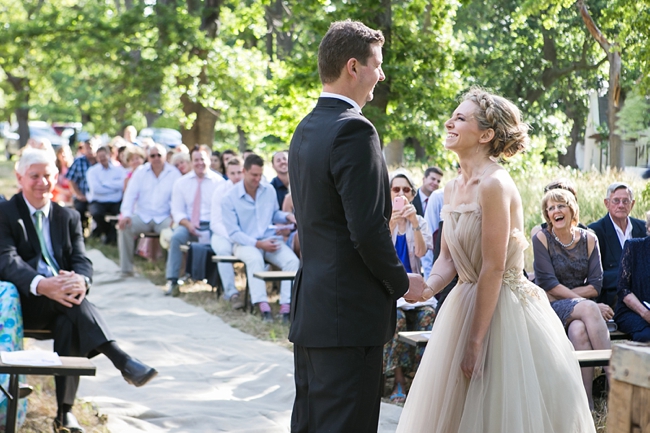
column 220, row 242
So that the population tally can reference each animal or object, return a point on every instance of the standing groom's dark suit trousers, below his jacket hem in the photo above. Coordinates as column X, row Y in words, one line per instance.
column 338, row 389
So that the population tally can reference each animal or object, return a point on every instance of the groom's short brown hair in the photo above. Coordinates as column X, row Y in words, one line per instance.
column 343, row 41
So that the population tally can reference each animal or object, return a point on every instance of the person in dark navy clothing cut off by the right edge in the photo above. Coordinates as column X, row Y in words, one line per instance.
column 633, row 313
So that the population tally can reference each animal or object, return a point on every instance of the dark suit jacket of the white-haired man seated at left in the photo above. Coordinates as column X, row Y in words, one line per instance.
column 20, row 249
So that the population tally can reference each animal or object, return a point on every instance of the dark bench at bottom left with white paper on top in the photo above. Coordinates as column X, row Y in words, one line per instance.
column 71, row 366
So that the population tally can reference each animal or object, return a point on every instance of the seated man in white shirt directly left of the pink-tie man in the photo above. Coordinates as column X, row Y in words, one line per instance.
column 146, row 206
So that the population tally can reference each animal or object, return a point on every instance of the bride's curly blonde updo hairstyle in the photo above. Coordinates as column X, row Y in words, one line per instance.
column 510, row 132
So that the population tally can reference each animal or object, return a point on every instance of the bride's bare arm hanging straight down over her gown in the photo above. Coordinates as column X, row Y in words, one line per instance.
column 495, row 197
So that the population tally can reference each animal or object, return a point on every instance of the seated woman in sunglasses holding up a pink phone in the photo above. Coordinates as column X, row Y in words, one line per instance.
column 412, row 238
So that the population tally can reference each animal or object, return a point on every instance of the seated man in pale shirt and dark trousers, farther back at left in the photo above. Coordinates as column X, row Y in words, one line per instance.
column 105, row 187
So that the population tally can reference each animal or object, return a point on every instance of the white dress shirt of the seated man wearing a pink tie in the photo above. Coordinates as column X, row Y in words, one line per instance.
column 184, row 191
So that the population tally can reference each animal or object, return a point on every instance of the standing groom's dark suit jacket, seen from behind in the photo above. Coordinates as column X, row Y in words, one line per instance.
column 350, row 275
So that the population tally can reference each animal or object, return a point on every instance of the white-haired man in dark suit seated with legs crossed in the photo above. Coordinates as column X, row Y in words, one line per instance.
column 42, row 253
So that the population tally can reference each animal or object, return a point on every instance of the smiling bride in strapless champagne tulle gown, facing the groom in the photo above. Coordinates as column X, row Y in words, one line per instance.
column 498, row 360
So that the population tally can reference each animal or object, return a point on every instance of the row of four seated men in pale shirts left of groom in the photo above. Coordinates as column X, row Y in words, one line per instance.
column 244, row 229
